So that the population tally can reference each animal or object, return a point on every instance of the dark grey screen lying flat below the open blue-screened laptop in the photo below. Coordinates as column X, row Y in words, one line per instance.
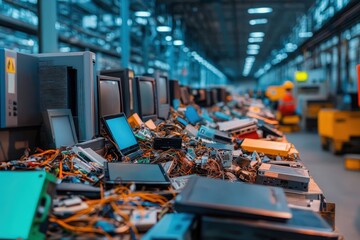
column 136, row 172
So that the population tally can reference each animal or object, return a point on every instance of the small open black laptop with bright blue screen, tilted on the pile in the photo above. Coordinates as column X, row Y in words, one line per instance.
column 121, row 133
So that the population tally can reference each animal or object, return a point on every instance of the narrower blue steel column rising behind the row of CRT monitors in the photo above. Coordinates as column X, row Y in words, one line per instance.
column 125, row 34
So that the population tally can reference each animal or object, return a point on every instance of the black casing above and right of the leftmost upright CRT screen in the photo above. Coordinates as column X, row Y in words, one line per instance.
column 128, row 87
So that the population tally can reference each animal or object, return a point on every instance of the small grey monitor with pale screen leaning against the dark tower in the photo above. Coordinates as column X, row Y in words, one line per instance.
column 60, row 128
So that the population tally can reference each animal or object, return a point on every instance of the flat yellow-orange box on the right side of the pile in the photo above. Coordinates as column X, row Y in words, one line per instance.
column 266, row 147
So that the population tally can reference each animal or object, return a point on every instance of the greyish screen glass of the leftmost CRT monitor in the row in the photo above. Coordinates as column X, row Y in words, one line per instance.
column 109, row 98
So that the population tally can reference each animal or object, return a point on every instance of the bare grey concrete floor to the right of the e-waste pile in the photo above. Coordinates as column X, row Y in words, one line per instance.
column 339, row 185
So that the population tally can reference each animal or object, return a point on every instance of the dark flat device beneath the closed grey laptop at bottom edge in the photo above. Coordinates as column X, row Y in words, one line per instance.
column 304, row 224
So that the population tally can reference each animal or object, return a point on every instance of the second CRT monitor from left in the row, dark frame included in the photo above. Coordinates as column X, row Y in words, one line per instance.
column 147, row 96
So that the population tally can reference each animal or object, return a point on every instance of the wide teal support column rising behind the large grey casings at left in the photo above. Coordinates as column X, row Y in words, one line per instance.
column 48, row 38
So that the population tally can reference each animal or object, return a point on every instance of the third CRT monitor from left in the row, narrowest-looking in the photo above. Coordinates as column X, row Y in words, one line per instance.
column 162, row 84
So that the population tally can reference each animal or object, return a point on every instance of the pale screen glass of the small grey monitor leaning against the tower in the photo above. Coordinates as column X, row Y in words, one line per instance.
column 63, row 133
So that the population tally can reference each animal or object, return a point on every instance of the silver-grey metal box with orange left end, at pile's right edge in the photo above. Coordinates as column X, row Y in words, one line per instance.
column 286, row 177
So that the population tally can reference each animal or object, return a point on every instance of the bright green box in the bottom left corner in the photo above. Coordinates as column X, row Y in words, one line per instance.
column 25, row 204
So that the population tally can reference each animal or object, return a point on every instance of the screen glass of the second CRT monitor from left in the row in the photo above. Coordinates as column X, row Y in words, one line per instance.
column 147, row 98
